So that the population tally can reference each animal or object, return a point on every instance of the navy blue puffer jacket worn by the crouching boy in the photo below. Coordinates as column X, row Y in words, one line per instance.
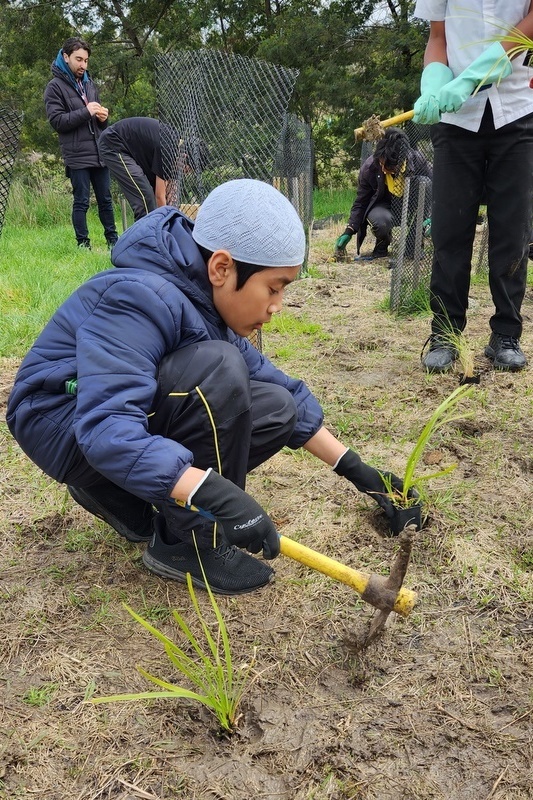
column 111, row 334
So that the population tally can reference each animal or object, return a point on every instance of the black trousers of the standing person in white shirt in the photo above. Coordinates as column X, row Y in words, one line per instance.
column 495, row 166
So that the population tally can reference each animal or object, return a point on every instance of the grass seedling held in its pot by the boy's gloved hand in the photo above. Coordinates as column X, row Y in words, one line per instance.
column 445, row 413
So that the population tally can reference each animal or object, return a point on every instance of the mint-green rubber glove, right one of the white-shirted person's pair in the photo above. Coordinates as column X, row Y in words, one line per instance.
column 490, row 67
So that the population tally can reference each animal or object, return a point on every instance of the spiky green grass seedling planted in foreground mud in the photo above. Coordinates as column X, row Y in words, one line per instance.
column 219, row 685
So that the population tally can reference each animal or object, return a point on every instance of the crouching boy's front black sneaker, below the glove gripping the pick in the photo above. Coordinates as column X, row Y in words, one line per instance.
column 228, row 570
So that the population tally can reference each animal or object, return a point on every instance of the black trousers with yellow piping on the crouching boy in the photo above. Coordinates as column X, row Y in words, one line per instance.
column 207, row 402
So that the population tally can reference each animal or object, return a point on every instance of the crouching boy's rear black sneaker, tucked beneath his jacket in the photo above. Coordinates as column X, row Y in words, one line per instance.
column 130, row 516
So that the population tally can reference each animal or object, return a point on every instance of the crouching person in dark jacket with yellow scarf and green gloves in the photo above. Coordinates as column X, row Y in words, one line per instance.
column 380, row 191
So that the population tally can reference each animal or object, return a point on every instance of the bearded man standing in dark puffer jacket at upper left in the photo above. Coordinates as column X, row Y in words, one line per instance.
column 73, row 110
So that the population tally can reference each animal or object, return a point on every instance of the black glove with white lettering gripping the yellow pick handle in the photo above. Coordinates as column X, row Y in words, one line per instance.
column 244, row 522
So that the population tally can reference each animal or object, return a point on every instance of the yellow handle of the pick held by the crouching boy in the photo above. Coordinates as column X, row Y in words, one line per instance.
column 372, row 588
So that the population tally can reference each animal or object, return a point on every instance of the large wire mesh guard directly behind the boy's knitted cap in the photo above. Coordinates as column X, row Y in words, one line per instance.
column 226, row 117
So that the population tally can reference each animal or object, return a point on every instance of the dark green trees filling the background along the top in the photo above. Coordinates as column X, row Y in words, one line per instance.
column 354, row 58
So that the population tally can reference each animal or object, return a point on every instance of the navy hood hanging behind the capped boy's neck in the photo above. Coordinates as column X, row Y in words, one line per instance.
column 161, row 243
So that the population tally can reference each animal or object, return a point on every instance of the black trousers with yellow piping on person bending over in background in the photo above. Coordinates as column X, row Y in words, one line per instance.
column 134, row 184
